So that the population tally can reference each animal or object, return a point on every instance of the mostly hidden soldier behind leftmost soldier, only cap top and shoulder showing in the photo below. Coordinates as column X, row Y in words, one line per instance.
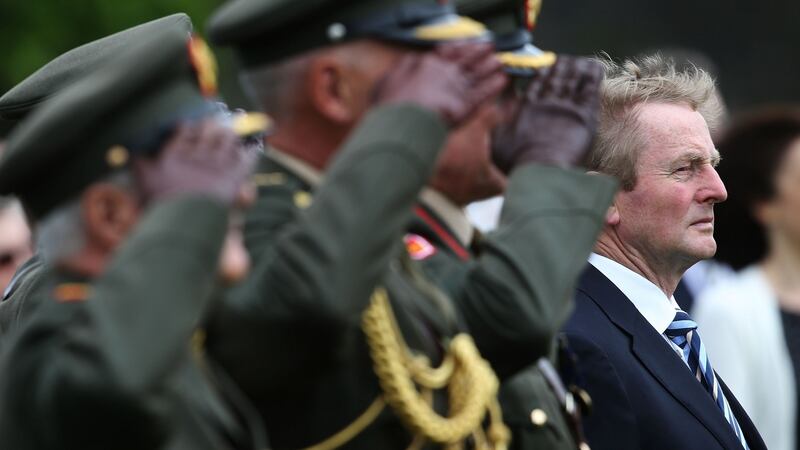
column 17, row 103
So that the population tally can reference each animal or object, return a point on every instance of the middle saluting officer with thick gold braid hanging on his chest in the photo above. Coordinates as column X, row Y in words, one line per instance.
column 349, row 346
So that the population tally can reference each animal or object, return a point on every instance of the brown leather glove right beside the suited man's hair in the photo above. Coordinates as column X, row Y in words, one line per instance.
column 555, row 120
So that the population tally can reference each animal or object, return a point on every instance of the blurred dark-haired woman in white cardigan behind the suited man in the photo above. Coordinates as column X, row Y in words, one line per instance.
column 751, row 323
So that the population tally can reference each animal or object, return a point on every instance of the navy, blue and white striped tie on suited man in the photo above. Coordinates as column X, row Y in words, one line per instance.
column 683, row 331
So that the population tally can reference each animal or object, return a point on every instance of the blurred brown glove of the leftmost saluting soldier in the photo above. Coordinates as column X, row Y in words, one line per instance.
column 204, row 158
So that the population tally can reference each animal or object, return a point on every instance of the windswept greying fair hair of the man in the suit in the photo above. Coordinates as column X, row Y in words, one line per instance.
column 628, row 86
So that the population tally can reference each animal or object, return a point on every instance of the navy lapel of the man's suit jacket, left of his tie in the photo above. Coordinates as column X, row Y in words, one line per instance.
column 657, row 356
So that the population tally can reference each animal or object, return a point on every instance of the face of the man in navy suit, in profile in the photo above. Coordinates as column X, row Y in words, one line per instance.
column 668, row 218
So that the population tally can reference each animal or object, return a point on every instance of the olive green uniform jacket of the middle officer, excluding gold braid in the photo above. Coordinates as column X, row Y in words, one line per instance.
column 303, row 358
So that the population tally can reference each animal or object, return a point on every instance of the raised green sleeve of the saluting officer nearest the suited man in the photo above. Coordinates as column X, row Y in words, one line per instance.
column 519, row 293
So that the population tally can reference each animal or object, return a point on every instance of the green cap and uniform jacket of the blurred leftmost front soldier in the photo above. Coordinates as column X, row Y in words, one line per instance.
column 112, row 362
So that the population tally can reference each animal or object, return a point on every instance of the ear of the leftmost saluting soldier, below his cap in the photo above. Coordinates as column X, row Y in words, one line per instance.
column 109, row 213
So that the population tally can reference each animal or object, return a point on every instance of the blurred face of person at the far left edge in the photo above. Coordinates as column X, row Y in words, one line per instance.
column 15, row 239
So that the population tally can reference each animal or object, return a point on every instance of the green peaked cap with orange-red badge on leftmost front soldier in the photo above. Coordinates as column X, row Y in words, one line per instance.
column 99, row 124
